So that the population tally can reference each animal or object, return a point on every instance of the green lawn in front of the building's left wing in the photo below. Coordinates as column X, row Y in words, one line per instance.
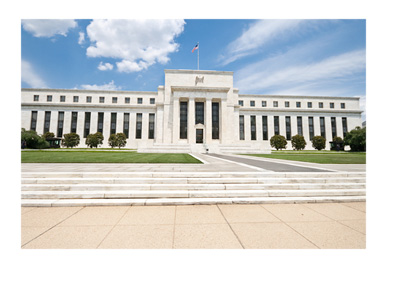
column 74, row 156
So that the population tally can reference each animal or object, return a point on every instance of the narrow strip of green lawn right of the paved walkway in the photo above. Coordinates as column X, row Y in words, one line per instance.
column 322, row 157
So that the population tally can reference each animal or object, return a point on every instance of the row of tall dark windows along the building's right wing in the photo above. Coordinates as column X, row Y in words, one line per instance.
column 288, row 127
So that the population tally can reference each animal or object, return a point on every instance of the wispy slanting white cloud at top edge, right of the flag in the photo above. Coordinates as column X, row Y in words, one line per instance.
column 257, row 36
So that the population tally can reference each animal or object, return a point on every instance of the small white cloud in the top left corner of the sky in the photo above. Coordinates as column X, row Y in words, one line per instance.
column 48, row 28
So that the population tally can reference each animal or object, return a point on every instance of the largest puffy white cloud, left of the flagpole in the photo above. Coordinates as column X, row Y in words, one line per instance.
column 137, row 43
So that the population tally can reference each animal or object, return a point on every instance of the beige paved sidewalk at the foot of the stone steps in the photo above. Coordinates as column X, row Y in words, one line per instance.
column 266, row 226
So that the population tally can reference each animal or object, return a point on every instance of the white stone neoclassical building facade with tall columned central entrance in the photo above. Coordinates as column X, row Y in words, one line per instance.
column 195, row 111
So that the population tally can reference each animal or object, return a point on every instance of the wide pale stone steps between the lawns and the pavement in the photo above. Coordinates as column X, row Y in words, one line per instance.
column 181, row 188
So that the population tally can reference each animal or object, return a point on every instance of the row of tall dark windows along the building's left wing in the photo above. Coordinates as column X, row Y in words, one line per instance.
column 100, row 123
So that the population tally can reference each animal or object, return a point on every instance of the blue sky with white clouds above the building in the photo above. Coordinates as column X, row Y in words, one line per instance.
column 291, row 57
